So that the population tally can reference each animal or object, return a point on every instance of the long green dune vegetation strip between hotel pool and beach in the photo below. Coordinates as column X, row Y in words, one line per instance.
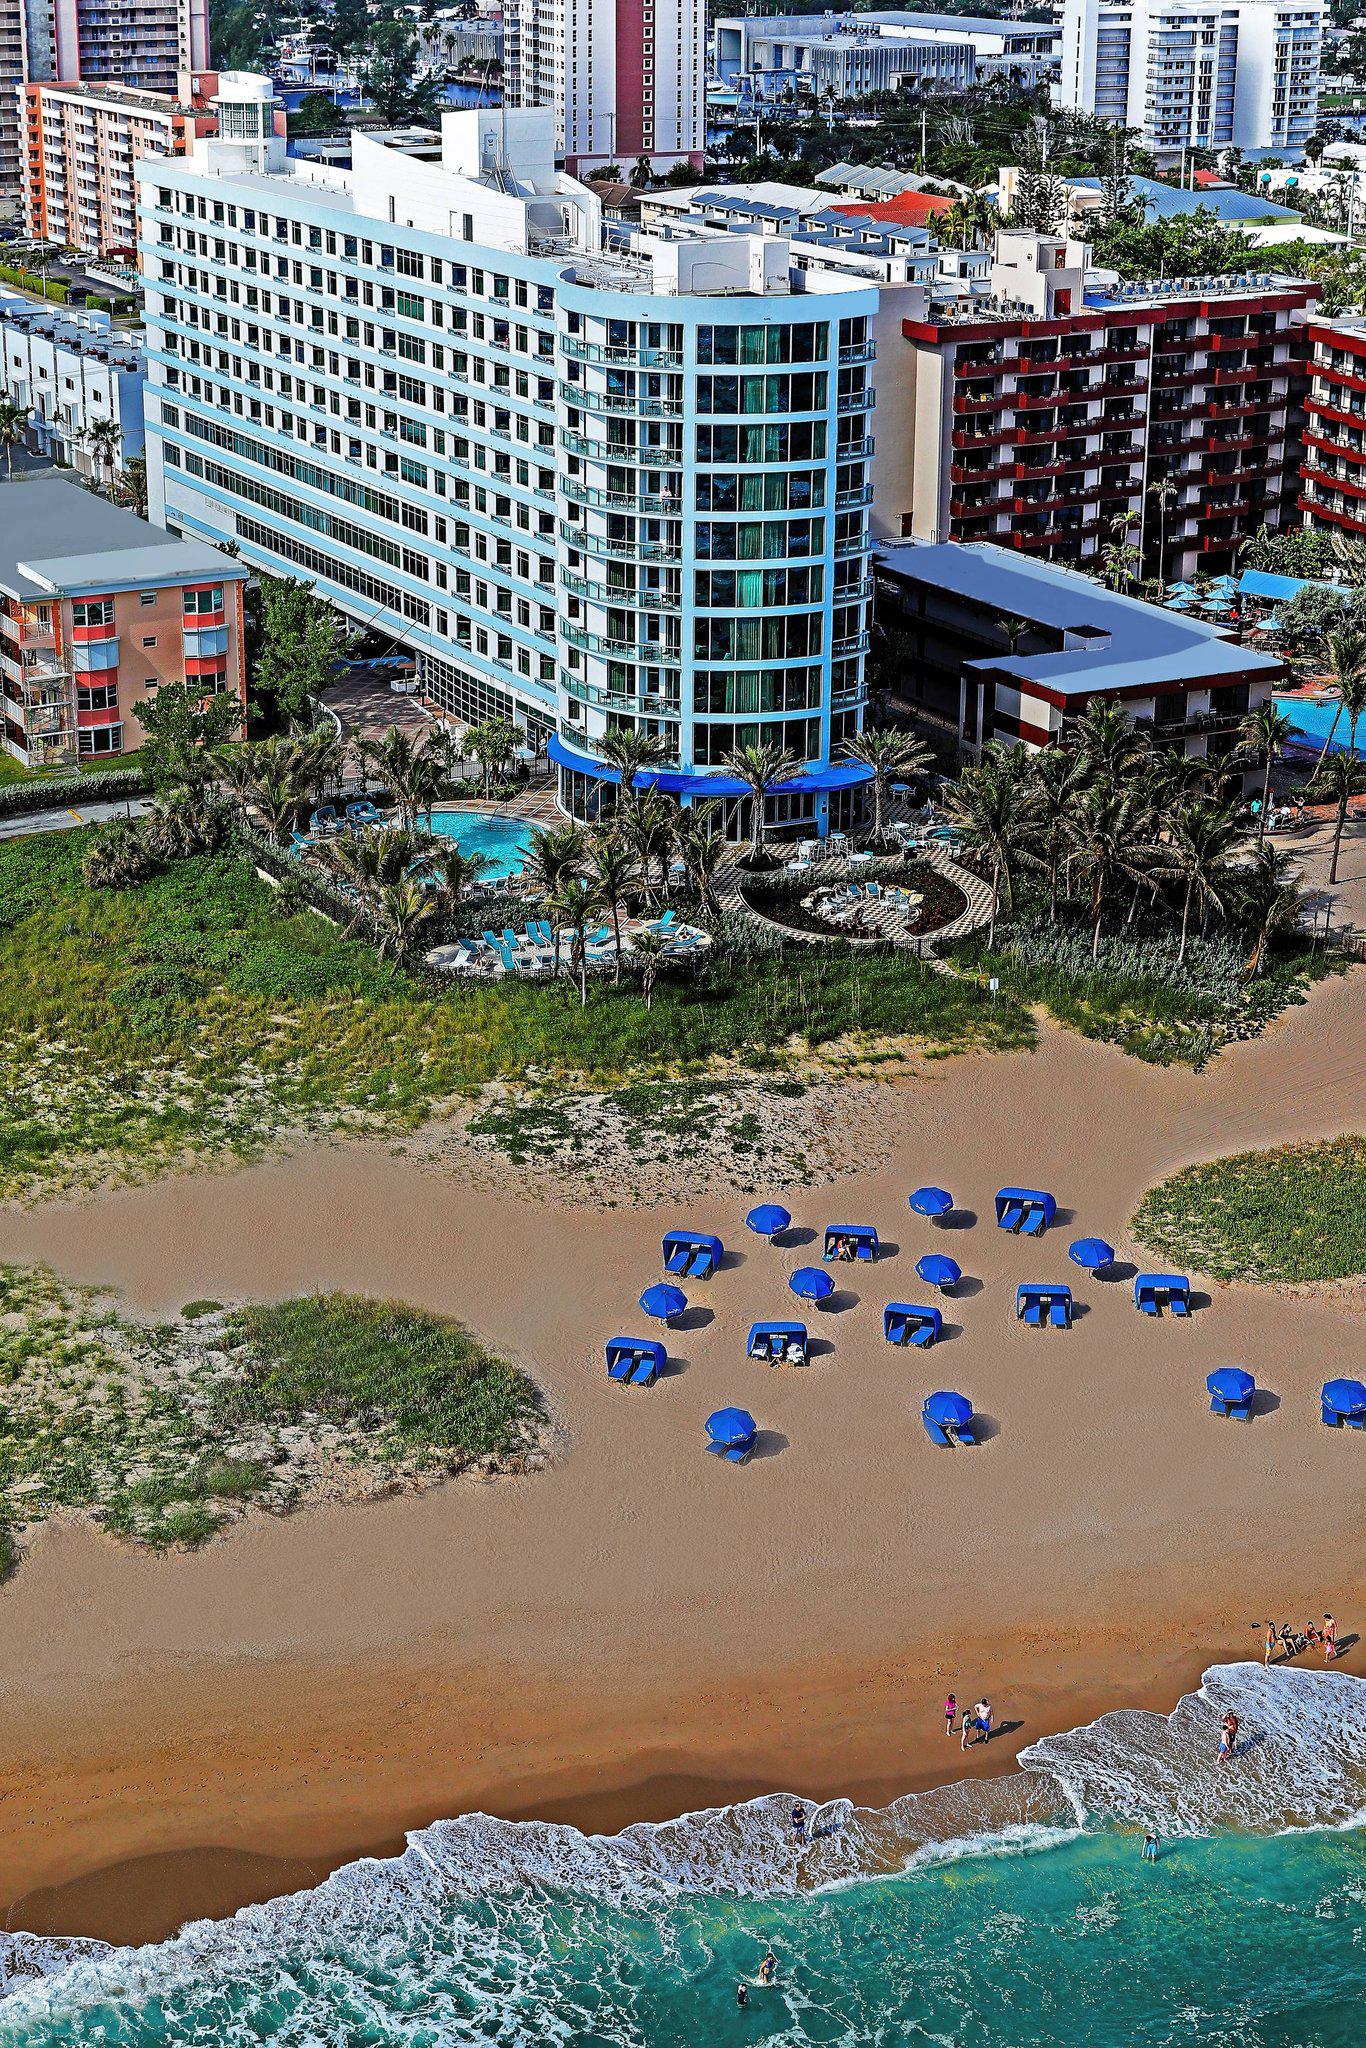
column 194, row 1017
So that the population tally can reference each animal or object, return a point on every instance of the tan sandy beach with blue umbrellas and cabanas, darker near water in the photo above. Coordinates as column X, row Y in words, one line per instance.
column 640, row 1631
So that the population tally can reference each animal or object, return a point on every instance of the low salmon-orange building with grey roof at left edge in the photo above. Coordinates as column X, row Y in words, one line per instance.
column 97, row 609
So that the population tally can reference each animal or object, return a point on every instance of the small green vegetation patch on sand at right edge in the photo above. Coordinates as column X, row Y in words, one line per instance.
column 1295, row 1213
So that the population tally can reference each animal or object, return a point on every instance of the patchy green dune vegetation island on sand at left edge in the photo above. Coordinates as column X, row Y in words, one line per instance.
column 167, row 1433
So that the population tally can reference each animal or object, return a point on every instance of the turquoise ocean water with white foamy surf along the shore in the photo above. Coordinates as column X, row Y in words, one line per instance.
column 1013, row 1914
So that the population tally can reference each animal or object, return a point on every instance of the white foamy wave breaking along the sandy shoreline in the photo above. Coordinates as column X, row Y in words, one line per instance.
column 1301, row 1764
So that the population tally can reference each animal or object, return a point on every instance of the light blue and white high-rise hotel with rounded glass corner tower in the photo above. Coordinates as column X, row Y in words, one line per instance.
column 591, row 490
